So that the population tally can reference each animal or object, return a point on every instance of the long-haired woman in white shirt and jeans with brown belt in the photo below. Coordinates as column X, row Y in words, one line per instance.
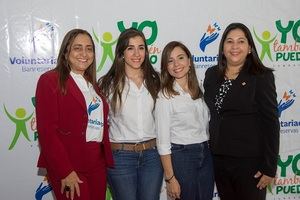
column 132, row 85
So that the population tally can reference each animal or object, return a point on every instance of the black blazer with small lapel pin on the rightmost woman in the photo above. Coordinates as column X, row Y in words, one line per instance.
column 247, row 125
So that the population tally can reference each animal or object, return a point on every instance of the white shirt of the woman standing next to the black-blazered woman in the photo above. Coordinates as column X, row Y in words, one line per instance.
column 180, row 120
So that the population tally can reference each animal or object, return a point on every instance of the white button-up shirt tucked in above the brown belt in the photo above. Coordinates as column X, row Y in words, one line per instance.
column 134, row 122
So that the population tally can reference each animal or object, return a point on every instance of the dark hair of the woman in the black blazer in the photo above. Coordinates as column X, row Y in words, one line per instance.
column 252, row 64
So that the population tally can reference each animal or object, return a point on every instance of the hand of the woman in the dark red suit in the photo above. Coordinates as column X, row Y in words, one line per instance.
column 70, row 185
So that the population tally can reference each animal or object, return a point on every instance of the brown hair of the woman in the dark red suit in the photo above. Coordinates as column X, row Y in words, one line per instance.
column 63, row 67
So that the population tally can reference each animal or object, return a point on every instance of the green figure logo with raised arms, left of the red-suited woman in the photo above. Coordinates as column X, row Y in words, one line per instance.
column 20, row 120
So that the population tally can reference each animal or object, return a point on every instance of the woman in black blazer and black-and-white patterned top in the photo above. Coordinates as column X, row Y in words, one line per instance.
column 244, row 127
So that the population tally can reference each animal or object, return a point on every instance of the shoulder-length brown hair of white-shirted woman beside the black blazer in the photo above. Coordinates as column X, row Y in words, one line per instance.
column 167, row 80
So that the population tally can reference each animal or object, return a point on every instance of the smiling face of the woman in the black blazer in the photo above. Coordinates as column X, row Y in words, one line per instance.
column 236, row 48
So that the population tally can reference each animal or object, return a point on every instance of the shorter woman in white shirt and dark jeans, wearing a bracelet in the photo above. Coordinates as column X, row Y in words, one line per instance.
column 182, row 123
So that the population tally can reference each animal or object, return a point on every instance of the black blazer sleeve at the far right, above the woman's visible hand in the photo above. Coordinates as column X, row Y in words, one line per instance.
column 267, row 108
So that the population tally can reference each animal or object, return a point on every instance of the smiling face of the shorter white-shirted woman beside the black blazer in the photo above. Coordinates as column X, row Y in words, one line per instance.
column 178, row 64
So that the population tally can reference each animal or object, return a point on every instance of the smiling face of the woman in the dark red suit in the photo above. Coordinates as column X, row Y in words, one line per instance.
column 81, row 54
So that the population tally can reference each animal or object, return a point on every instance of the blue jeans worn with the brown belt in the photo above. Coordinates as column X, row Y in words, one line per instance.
column 136, row 176
